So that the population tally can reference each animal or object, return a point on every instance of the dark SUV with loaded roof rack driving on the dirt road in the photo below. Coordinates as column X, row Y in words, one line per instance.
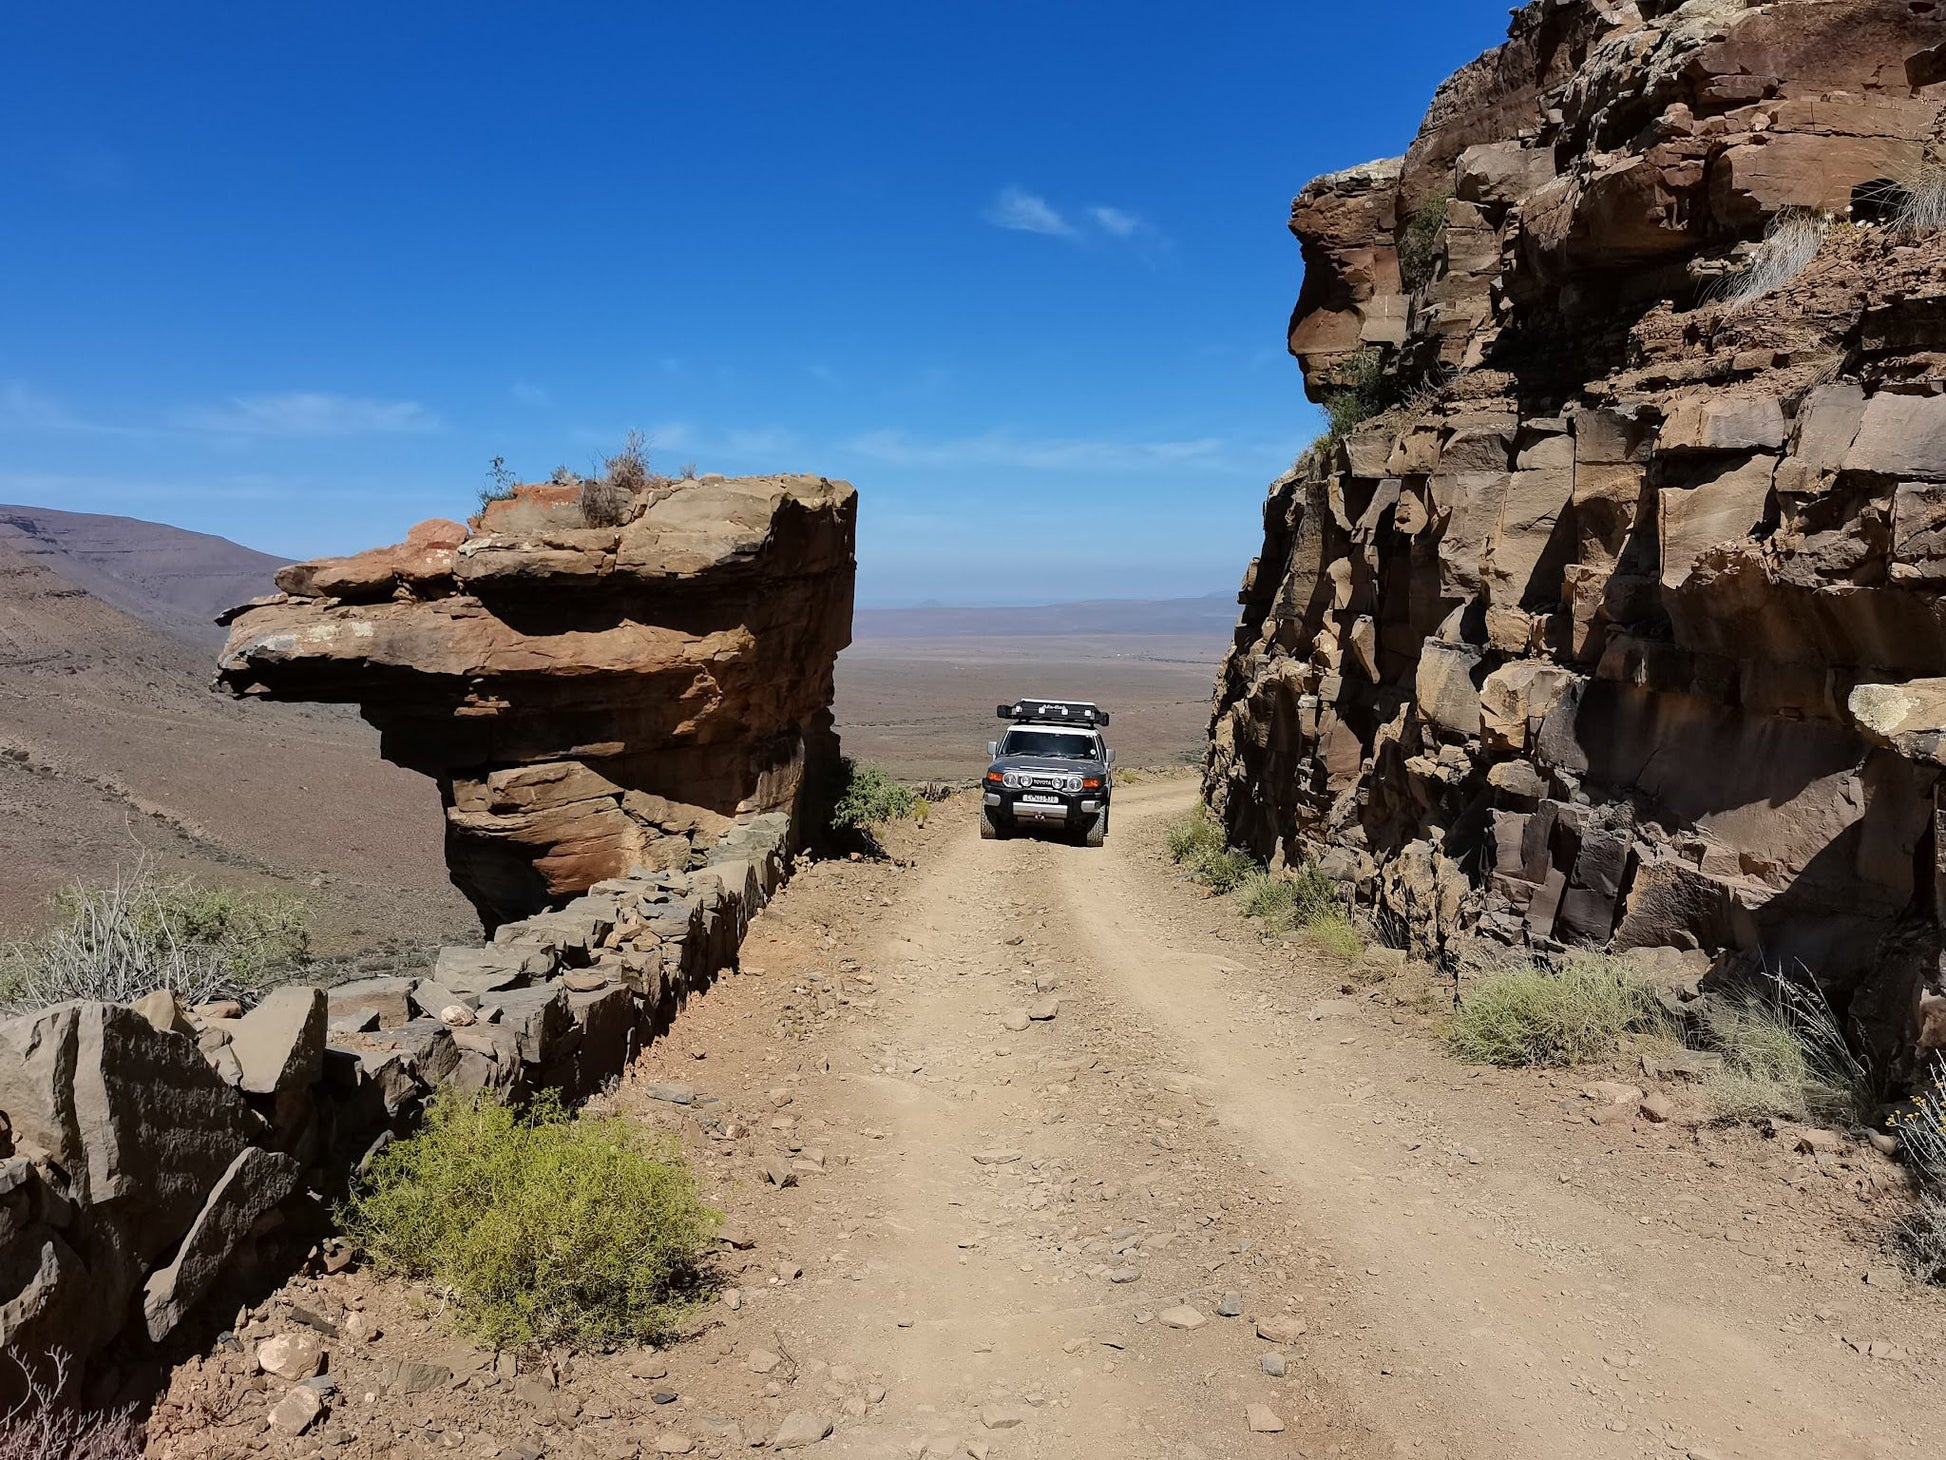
column 1050, row 770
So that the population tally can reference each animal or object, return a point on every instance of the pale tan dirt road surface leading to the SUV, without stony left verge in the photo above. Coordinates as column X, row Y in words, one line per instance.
column 1009, row 1216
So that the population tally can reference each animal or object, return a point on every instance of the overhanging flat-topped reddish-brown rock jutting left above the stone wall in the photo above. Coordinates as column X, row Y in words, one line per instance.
column 593, row 700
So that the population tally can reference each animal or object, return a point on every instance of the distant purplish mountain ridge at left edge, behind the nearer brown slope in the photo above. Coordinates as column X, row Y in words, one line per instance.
column 166, row 577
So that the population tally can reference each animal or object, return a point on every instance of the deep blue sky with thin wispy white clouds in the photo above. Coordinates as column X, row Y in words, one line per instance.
column 293, row 274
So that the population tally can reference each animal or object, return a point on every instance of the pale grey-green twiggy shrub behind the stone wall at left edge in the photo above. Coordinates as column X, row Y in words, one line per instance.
column 145, row 931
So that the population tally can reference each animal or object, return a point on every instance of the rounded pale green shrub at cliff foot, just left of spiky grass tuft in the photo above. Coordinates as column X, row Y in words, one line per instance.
column 1538, row 1017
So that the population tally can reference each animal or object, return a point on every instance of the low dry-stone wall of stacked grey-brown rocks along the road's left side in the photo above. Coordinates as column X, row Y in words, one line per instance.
column 155, row 1159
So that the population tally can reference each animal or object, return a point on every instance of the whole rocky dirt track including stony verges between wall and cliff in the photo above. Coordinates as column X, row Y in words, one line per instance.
column 1077, row 1165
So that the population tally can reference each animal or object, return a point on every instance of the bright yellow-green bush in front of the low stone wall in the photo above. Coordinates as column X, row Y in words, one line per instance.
column 538, row 1227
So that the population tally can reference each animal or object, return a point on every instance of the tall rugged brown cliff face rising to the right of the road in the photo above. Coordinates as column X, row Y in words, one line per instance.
column 1618, row 618
